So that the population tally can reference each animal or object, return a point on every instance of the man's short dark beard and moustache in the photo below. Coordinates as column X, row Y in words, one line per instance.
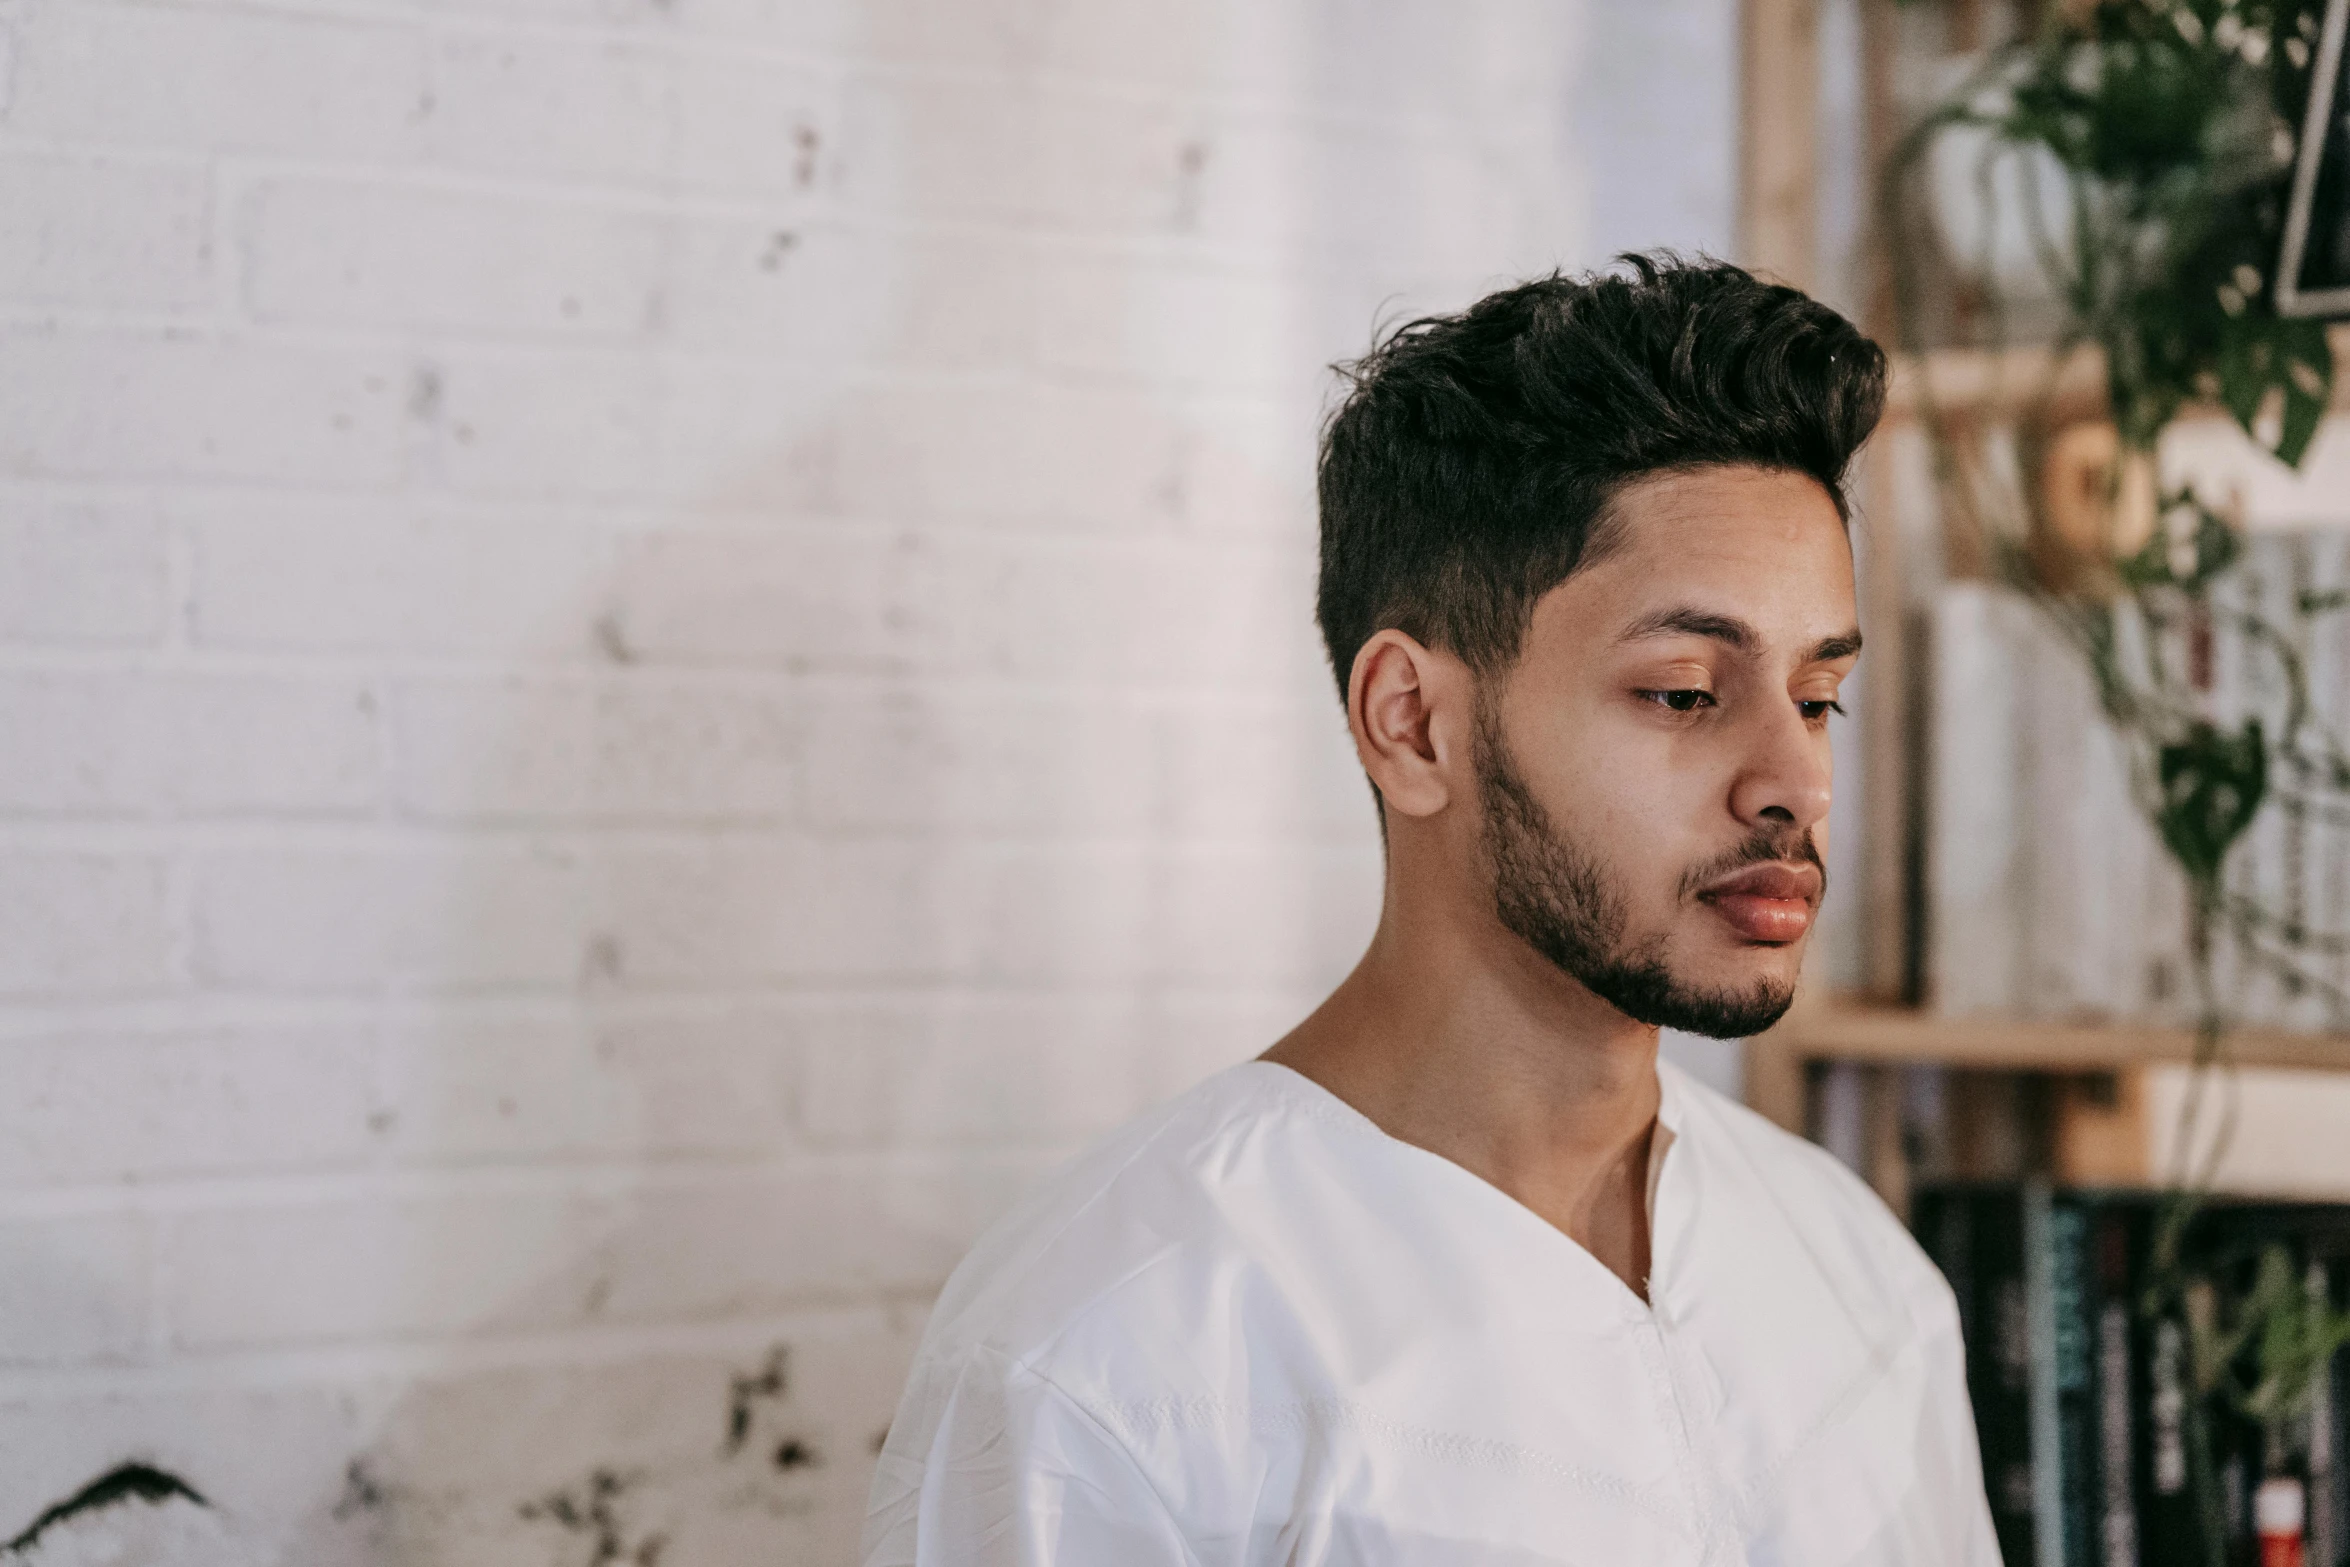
column 1562, row 903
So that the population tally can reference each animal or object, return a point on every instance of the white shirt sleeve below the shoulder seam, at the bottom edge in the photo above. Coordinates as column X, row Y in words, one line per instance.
column 991, row 1465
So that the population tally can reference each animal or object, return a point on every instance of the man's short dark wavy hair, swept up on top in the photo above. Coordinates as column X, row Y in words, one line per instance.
column 1475, row 457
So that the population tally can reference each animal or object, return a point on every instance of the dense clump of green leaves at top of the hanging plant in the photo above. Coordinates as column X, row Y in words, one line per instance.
column 2175, row 123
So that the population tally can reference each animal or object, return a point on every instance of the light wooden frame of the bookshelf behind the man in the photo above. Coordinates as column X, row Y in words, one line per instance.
column 1780, row 170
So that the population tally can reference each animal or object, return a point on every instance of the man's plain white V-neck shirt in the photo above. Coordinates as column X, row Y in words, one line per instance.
column 1254, row 1329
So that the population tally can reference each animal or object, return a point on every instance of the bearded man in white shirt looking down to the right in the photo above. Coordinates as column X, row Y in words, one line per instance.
column 1458, row 1272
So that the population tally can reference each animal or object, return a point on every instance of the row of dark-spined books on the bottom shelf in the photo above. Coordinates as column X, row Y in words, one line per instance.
column 2097, row 1446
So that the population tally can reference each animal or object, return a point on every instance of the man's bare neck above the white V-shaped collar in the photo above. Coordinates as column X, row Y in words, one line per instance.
column 1489, row 1056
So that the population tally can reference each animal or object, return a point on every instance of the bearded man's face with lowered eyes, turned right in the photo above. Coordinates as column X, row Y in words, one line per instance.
column 1656, row 765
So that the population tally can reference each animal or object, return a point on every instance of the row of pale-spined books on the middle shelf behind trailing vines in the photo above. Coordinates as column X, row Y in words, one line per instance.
column 2050, row 894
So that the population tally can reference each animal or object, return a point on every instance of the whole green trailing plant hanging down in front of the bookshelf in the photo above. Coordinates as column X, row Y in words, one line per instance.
column 2142, row 154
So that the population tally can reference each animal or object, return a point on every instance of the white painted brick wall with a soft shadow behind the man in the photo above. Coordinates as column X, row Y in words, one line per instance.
column 650, row 652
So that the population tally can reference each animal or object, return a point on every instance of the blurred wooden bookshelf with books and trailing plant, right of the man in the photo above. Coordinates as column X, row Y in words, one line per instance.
column 2102, row 1021
